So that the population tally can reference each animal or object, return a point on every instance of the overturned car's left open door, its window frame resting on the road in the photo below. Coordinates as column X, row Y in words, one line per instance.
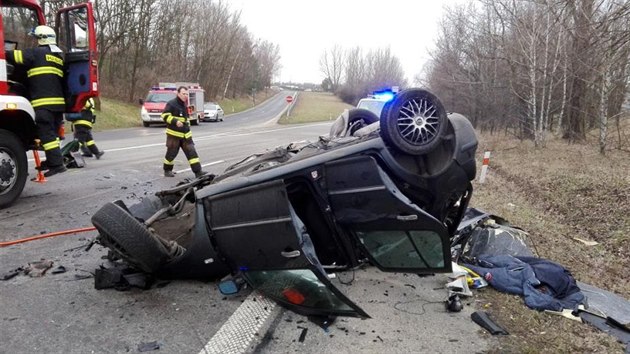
column 260, row 235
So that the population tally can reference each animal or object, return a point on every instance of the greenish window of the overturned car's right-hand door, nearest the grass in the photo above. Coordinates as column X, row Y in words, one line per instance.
column 404, row 248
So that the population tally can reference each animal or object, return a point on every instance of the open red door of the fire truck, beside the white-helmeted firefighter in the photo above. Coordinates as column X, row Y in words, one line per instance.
column 77, row 38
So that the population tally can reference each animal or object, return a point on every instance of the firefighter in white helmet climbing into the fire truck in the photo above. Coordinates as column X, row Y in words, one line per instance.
column 44, row 70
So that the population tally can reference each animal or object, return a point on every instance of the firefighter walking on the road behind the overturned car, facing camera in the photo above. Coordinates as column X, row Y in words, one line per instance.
column 178, row 134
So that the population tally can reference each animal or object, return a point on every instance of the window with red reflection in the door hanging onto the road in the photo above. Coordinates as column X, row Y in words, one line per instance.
column 299, row 287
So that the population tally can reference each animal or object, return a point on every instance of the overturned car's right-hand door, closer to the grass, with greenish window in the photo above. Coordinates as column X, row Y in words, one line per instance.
column 395, row 234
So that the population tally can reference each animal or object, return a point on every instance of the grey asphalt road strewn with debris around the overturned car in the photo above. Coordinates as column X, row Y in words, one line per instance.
column 63, row 313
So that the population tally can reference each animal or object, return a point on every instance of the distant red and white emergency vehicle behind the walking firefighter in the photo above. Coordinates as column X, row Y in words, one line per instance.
column 157, row 97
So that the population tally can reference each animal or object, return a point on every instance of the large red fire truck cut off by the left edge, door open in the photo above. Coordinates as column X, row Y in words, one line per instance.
column 77, row 38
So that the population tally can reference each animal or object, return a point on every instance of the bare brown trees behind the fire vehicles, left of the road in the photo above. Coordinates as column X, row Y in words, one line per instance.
column 143, row 42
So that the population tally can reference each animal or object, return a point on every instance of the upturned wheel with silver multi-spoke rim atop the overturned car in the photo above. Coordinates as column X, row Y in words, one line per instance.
column 414, row 122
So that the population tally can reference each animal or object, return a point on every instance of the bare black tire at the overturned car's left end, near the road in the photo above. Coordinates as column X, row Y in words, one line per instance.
column 129, row 239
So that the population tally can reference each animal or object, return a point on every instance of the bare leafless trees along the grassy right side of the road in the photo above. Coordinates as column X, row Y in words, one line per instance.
column 531, row 67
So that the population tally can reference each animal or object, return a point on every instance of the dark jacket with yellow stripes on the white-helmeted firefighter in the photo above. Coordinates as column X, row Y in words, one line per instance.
column 44, row 69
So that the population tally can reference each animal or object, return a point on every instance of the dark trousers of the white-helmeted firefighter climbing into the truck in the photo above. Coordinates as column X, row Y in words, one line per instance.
column 48, row 124
